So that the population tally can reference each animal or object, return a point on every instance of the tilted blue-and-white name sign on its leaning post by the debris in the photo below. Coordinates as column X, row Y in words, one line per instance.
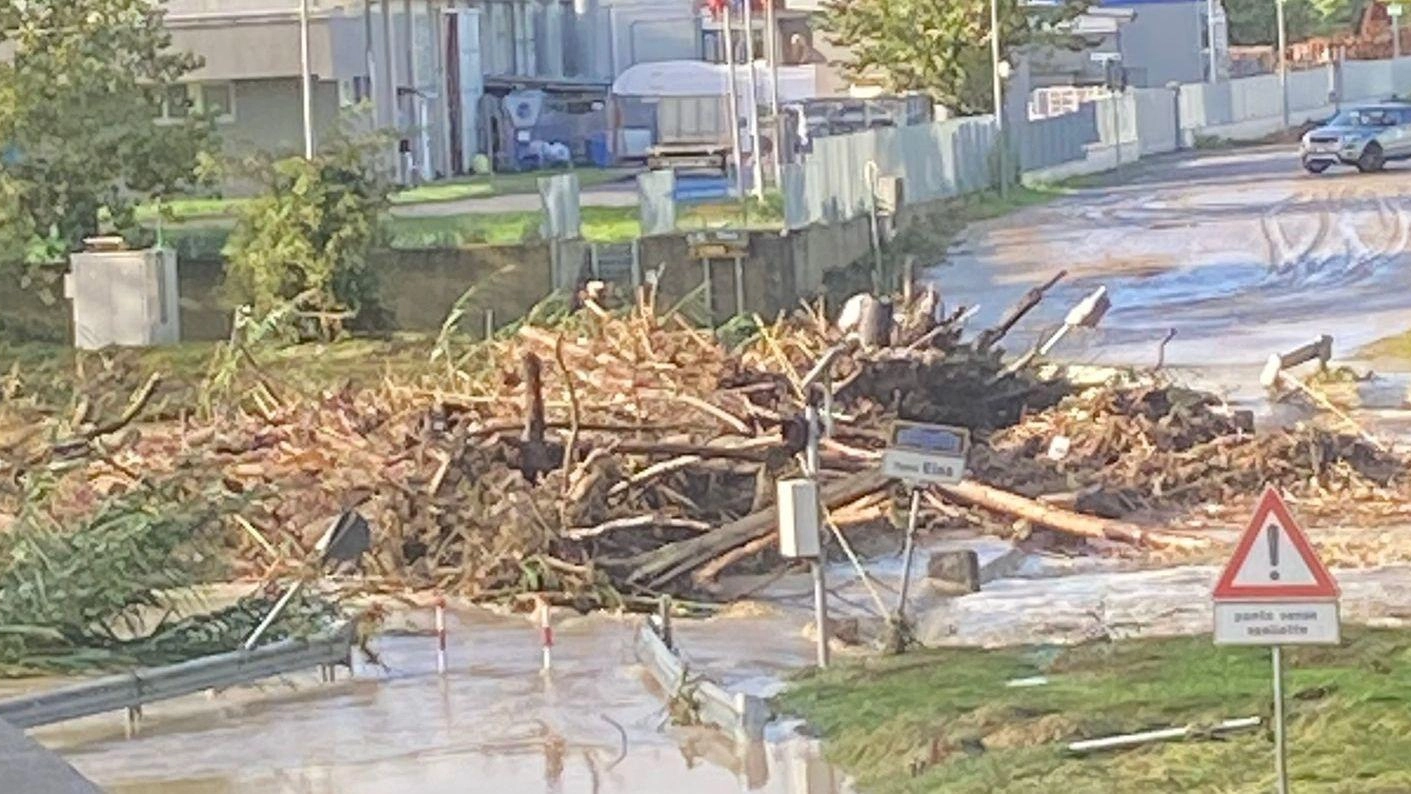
column 921, row 455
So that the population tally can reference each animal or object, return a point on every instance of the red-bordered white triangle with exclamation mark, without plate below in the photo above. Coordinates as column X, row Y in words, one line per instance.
column 1275, row 559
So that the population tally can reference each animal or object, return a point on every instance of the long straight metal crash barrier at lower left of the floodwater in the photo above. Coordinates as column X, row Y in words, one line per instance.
column 152, row 685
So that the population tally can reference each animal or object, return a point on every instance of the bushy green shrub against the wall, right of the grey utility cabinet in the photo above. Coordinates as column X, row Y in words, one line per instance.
column 308, row 236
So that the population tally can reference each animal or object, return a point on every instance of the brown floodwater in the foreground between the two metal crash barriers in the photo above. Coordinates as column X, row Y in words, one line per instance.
column 495, row 724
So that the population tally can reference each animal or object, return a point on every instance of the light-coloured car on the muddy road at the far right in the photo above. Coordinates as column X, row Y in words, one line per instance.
column 1367, row 138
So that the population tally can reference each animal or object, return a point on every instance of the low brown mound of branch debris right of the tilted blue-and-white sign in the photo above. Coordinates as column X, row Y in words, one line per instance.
column 1148, row 444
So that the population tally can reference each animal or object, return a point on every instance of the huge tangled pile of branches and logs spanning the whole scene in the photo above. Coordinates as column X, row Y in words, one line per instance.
column 607, row 456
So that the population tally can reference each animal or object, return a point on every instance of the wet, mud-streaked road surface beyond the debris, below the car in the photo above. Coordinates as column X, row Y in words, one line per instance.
column 1241, row 252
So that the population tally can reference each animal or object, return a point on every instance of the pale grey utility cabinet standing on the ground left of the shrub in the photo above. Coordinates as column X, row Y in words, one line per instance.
column 121, row 297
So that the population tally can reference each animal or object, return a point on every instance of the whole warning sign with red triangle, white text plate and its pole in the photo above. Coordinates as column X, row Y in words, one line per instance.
column 1276, row 592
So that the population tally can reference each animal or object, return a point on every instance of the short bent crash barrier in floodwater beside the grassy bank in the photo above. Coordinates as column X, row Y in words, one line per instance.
column 744, row 717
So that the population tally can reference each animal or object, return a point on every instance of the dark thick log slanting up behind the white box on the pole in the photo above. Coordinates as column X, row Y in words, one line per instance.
column 668, row 562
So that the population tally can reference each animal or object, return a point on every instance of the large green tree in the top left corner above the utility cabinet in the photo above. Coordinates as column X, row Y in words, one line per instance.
column 80, row 139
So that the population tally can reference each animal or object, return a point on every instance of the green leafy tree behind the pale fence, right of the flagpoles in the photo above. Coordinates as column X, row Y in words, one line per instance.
column 940, row 47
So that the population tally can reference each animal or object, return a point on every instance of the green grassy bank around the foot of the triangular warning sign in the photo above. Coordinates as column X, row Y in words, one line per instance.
column 950, row 711
